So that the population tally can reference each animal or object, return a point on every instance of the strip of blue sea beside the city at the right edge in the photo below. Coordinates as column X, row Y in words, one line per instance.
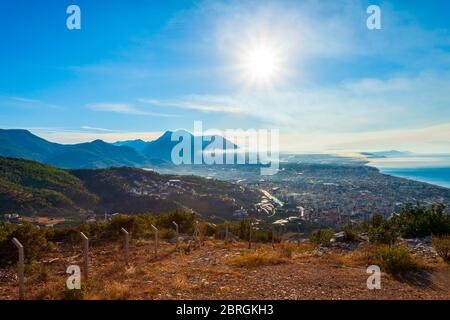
column 430, row 169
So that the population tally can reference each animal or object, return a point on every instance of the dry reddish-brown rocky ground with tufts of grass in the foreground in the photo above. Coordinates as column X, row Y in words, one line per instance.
column 208, row 272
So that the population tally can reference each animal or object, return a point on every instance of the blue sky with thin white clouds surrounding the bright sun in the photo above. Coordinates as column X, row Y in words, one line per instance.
column 138, row 68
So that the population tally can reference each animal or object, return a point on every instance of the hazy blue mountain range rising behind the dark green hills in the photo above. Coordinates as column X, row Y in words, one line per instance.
column 20, row 143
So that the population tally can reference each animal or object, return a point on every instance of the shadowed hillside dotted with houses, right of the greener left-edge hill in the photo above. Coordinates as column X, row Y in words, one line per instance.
column 133, row 190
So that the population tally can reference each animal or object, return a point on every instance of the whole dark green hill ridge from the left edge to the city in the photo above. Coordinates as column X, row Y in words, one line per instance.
column 31, row 188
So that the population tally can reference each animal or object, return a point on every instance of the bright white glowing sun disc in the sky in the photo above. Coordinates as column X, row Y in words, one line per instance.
column 261, row 64
